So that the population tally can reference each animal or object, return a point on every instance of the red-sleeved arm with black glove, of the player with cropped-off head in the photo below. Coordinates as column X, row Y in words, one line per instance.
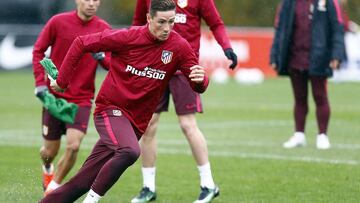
column 213, row 19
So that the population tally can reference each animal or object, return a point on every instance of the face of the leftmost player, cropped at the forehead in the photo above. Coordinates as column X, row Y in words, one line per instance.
column 87, row 8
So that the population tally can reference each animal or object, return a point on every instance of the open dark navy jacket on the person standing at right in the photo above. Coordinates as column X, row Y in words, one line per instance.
column 327, row 37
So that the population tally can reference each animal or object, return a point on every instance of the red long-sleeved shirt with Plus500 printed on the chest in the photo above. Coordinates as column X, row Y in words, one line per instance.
column 141, row 67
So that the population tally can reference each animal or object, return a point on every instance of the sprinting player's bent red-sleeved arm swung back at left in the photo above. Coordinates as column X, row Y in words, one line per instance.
column 106, row 41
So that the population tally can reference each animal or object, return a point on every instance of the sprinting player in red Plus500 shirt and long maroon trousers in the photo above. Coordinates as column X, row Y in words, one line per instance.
column 144, row 58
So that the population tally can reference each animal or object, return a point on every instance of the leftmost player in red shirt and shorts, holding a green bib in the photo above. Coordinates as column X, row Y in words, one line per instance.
column 58, row 33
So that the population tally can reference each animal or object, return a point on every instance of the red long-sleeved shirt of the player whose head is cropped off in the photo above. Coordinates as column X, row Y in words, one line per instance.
column 188, row 20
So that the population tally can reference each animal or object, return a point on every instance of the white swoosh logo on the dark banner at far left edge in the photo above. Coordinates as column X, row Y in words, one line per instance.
column 12, row 57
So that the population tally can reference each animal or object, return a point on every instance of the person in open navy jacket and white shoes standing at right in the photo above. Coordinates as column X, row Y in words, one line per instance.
column 308, row 45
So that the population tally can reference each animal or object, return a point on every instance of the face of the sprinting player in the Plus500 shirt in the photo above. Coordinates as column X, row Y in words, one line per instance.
column 161, row 24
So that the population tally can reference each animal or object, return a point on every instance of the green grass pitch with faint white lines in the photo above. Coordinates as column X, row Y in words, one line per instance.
column 244, row 127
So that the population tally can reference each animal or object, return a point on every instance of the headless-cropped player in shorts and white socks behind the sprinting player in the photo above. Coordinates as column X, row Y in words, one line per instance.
column 187, row 102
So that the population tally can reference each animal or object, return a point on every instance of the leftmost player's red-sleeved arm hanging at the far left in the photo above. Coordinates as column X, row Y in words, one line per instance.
column 44, row 41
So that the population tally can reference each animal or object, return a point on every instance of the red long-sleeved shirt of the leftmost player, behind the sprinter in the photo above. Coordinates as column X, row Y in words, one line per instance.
column 59, row 32
